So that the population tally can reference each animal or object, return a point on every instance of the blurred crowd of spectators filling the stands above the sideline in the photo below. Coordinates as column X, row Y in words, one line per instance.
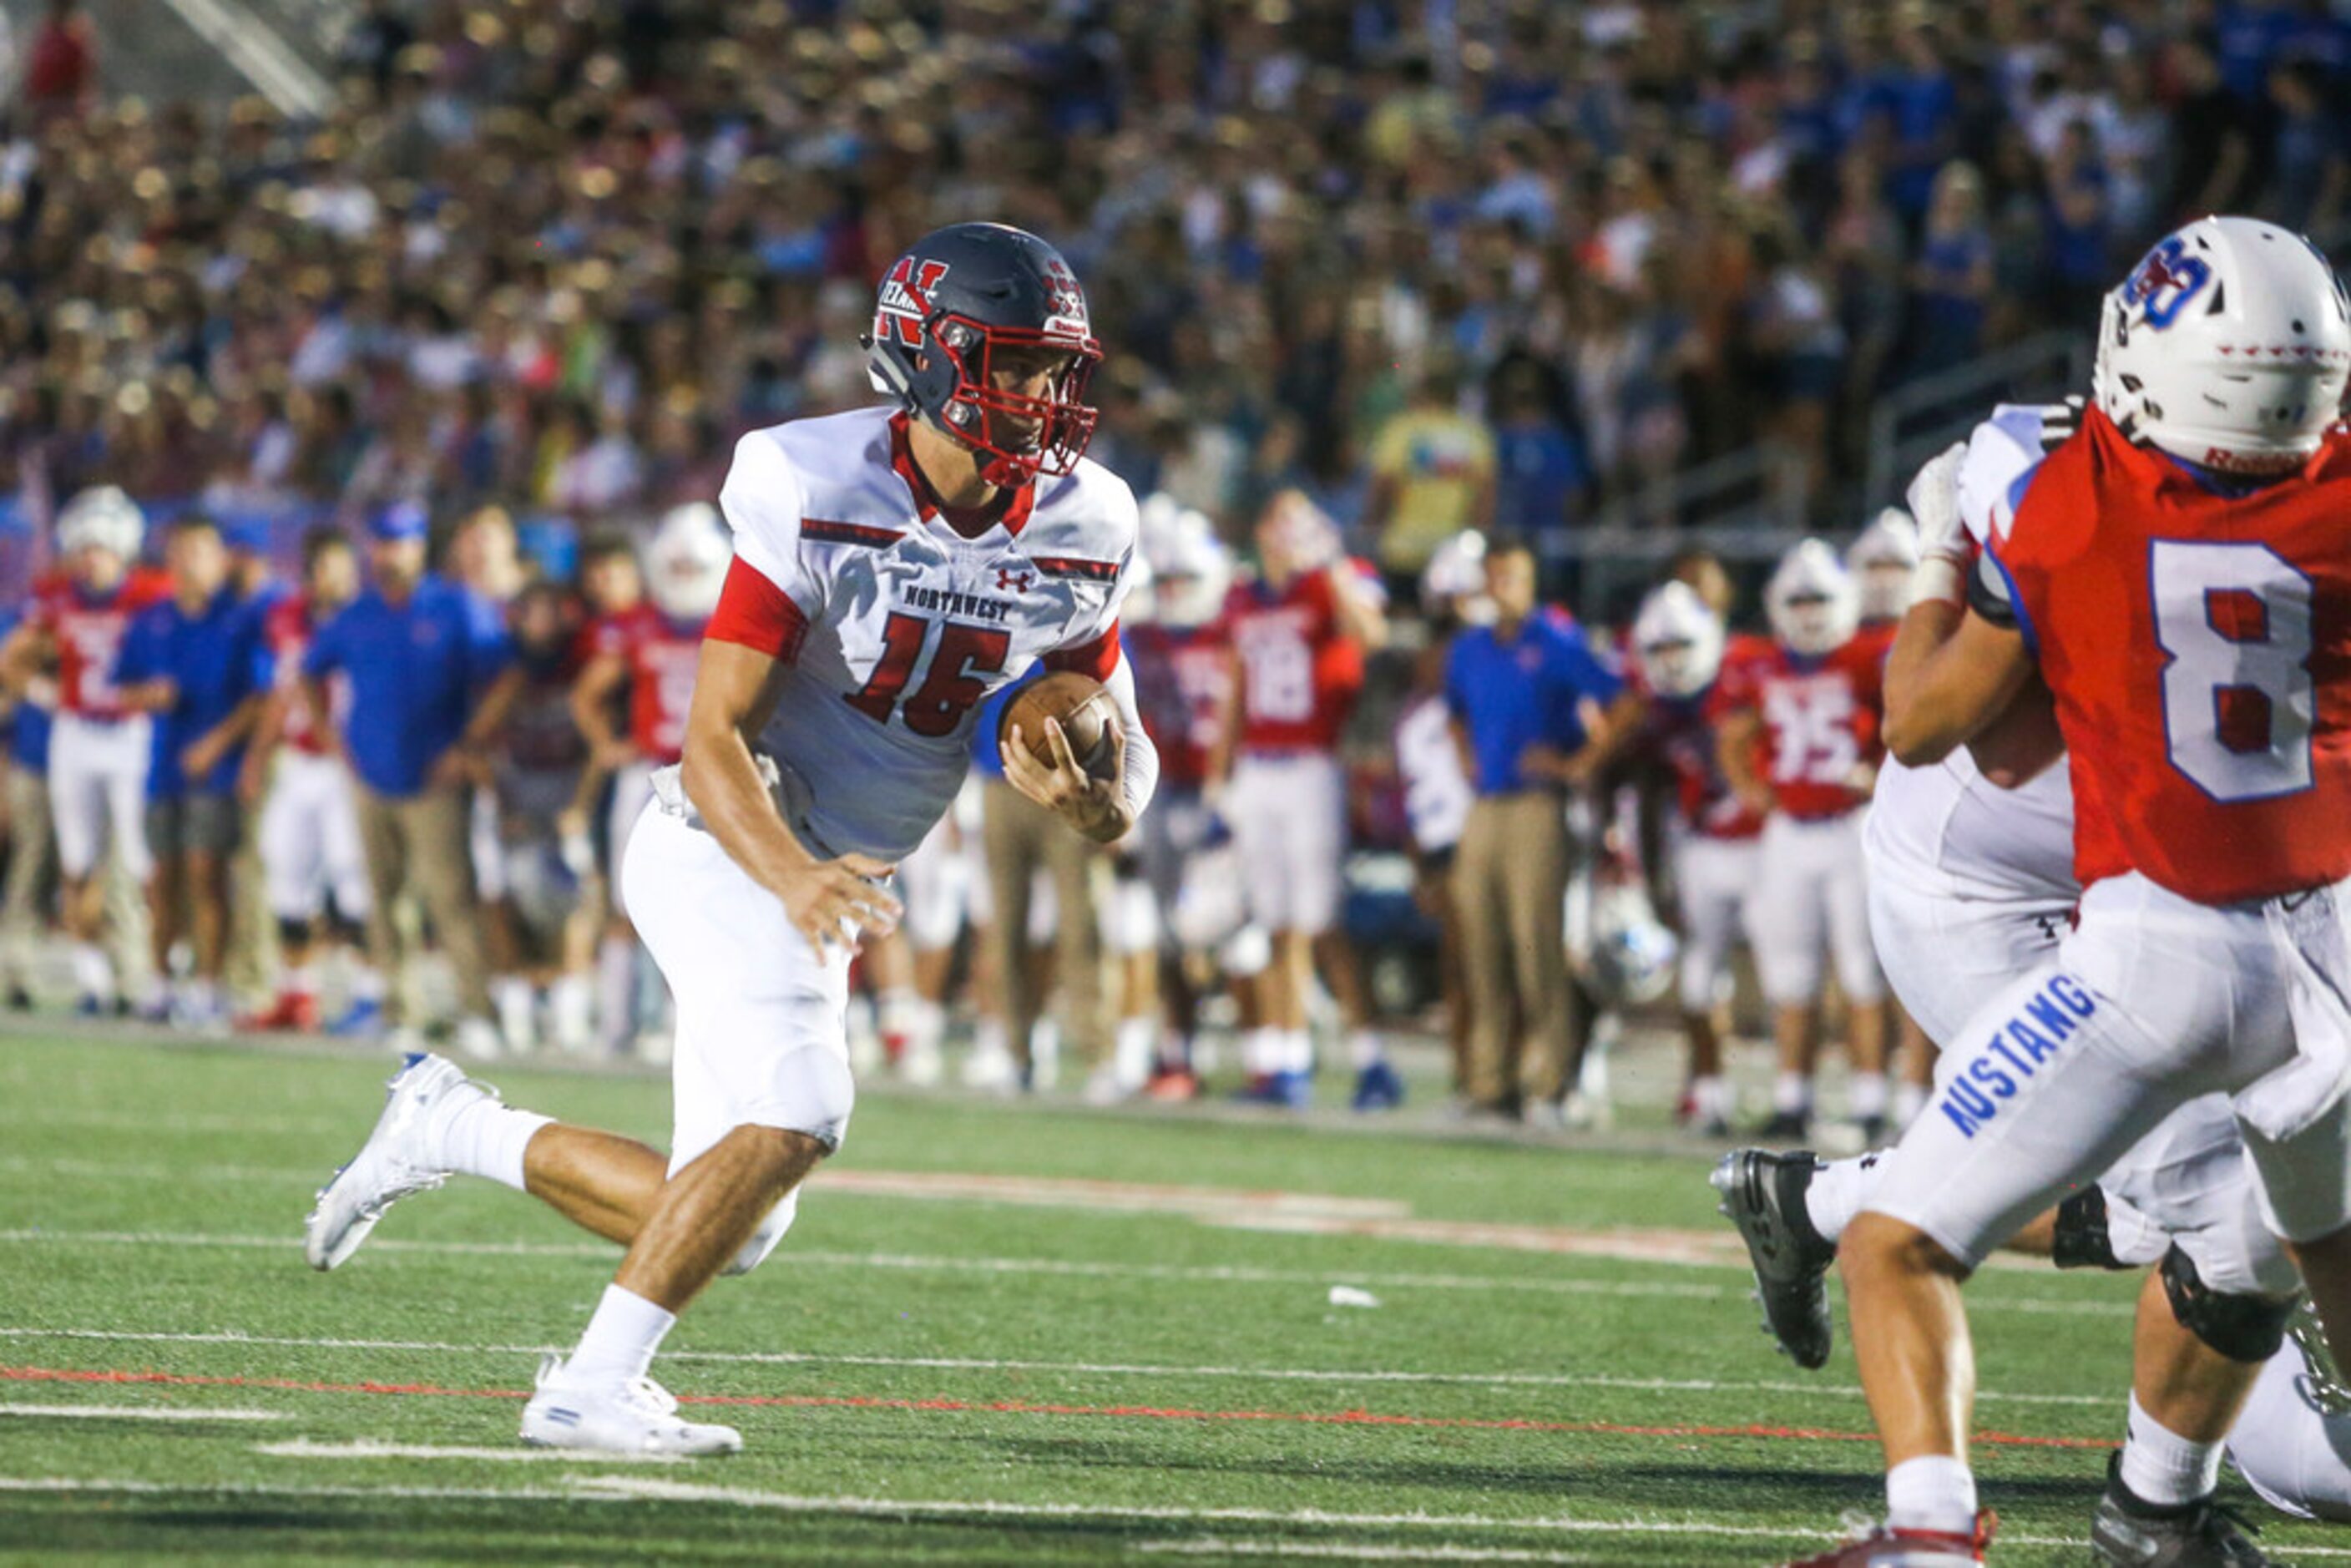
column 1435, row 264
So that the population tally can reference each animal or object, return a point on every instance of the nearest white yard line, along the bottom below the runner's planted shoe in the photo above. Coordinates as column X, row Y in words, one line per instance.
column 650, row 1489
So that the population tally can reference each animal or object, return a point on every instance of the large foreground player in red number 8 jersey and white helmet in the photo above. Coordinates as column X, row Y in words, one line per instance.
column 2181, row 577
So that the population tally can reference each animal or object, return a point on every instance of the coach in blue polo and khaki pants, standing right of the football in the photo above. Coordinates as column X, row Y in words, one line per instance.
column 1520, row 695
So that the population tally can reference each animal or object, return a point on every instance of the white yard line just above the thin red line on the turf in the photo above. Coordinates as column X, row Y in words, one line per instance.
column 1076, row 1369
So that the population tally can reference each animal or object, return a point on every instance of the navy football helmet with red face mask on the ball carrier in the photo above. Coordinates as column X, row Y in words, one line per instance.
column 946, row 316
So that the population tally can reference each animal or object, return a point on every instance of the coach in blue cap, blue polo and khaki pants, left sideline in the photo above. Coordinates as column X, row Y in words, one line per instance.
column 424, row 695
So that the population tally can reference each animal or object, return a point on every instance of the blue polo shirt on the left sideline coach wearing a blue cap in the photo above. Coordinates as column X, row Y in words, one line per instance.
column 415, row 671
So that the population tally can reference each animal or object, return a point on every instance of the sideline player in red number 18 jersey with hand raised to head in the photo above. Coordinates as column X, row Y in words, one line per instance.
column 1299, row 636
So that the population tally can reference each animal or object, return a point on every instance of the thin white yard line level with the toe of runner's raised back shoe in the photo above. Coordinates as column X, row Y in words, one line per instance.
column 1057, row 1268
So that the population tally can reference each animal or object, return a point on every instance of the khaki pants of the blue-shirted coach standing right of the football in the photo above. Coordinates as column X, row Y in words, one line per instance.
column 1511, row 885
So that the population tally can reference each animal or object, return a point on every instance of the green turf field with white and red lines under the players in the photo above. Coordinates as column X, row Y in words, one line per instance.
column 996, row 1336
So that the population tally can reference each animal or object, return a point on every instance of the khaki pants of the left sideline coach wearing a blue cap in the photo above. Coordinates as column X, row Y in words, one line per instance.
column 420, row 843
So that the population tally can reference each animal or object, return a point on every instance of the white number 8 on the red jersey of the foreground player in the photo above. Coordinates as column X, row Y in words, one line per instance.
column 2239, row 699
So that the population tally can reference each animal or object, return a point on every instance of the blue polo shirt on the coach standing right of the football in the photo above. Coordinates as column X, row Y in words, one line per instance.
column 1522, row 692
